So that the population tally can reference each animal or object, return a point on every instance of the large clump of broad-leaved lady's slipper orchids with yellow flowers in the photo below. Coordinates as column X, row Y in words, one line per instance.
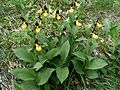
column 63, row 48
